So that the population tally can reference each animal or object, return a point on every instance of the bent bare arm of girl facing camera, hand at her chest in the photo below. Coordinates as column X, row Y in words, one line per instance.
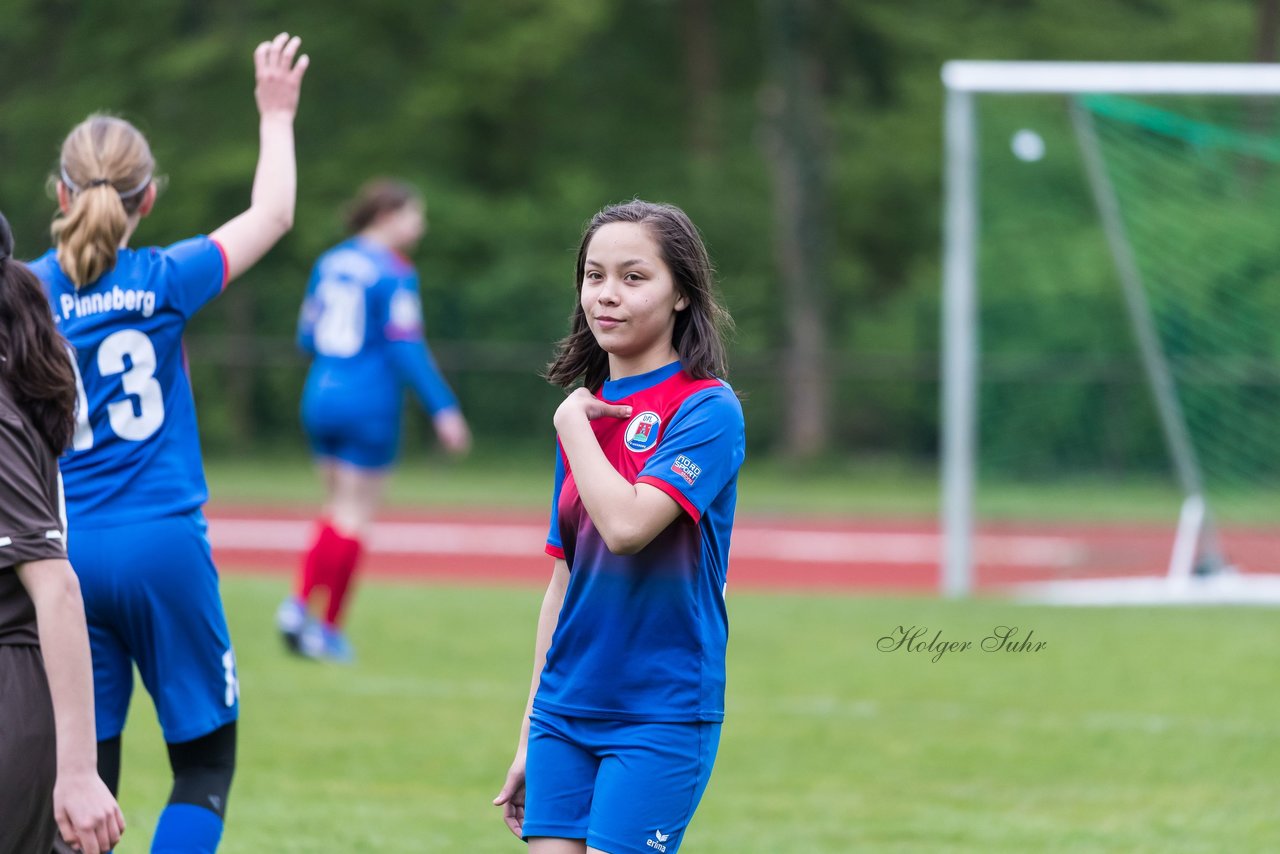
column 627, row 515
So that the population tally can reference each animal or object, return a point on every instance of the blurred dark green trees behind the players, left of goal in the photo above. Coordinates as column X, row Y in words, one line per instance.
column 520, row 118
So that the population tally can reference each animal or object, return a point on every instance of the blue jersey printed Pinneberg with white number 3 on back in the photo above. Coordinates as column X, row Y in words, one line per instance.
column 136, row 453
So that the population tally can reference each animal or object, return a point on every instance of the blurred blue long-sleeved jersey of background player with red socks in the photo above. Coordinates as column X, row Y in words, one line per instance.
column 363, row 323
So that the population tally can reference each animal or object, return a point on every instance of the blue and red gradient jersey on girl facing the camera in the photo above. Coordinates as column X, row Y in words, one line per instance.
column 642, row 637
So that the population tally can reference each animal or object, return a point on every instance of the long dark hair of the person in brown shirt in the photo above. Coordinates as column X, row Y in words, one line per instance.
column 35, row 363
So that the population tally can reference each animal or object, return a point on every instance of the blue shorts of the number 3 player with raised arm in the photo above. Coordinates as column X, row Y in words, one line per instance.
column 152, row 599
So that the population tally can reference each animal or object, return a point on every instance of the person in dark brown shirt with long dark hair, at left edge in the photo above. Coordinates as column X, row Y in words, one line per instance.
column 49, row 784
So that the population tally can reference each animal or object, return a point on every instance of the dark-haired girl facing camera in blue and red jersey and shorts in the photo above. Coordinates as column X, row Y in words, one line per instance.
column 628, row 695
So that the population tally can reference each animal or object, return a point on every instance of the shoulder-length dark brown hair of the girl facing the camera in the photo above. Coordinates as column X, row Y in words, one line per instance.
column 701, row 327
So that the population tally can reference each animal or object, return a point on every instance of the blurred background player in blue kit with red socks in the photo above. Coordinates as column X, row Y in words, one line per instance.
column 362, row 323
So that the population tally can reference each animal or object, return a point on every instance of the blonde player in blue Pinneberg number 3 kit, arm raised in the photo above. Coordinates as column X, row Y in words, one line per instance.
column 134, row 478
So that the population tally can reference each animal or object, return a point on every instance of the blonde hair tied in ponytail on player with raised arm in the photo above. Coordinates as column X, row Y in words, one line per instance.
column 107, row 167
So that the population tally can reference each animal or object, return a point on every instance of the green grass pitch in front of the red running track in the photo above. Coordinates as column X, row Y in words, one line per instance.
column 1133, row 730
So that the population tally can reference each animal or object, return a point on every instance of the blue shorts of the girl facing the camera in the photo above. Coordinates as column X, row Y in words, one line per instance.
column 621, row 786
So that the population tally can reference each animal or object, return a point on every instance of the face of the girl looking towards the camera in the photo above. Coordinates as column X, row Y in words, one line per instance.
column 630, row 299
